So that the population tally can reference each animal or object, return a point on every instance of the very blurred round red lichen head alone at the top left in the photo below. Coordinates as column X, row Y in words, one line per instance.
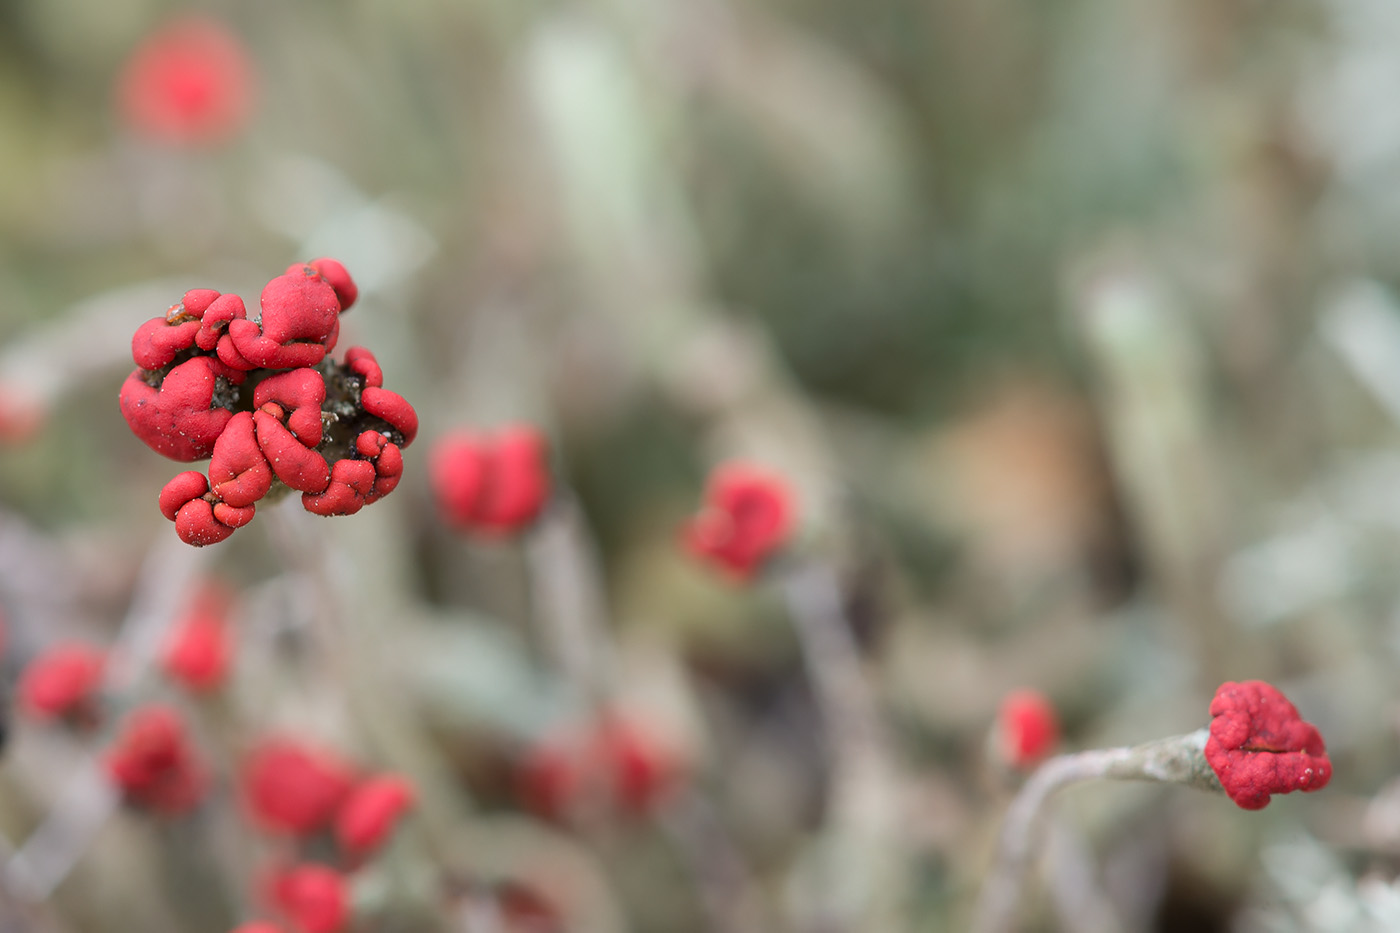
column 188, row 83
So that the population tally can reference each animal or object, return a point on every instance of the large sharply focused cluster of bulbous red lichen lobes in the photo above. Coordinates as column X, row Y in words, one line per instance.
column 267, row 404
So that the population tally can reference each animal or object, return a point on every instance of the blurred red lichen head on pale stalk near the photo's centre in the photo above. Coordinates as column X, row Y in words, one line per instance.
column 745, row 519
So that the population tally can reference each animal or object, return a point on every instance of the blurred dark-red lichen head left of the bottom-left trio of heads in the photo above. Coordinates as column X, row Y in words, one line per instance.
column 153, row 764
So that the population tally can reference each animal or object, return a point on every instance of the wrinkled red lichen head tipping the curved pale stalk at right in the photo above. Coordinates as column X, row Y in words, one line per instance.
column 1261, row 746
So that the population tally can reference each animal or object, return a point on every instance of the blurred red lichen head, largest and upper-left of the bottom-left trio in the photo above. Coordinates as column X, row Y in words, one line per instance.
column 293, row 788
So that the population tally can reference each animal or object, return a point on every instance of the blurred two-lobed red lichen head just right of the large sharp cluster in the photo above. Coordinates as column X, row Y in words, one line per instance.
column 493, row 485
